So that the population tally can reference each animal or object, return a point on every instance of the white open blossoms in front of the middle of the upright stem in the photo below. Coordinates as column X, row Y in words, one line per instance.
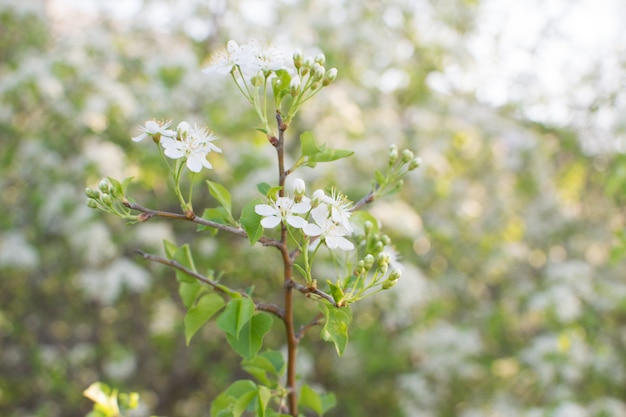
column 331, row 215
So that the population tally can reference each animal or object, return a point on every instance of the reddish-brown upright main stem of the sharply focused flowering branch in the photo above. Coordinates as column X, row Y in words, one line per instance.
column 292, row 340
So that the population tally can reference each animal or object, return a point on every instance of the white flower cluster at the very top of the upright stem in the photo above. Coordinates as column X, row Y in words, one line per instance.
column 249, row 58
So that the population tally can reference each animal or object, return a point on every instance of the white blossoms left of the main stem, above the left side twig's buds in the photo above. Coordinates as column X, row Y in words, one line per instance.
column 193, row 143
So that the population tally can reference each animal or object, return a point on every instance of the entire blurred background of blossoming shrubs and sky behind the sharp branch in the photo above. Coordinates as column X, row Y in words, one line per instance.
column 513, row 297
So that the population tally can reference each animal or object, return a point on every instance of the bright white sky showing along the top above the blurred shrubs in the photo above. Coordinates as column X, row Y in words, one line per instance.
column 530, row 52
